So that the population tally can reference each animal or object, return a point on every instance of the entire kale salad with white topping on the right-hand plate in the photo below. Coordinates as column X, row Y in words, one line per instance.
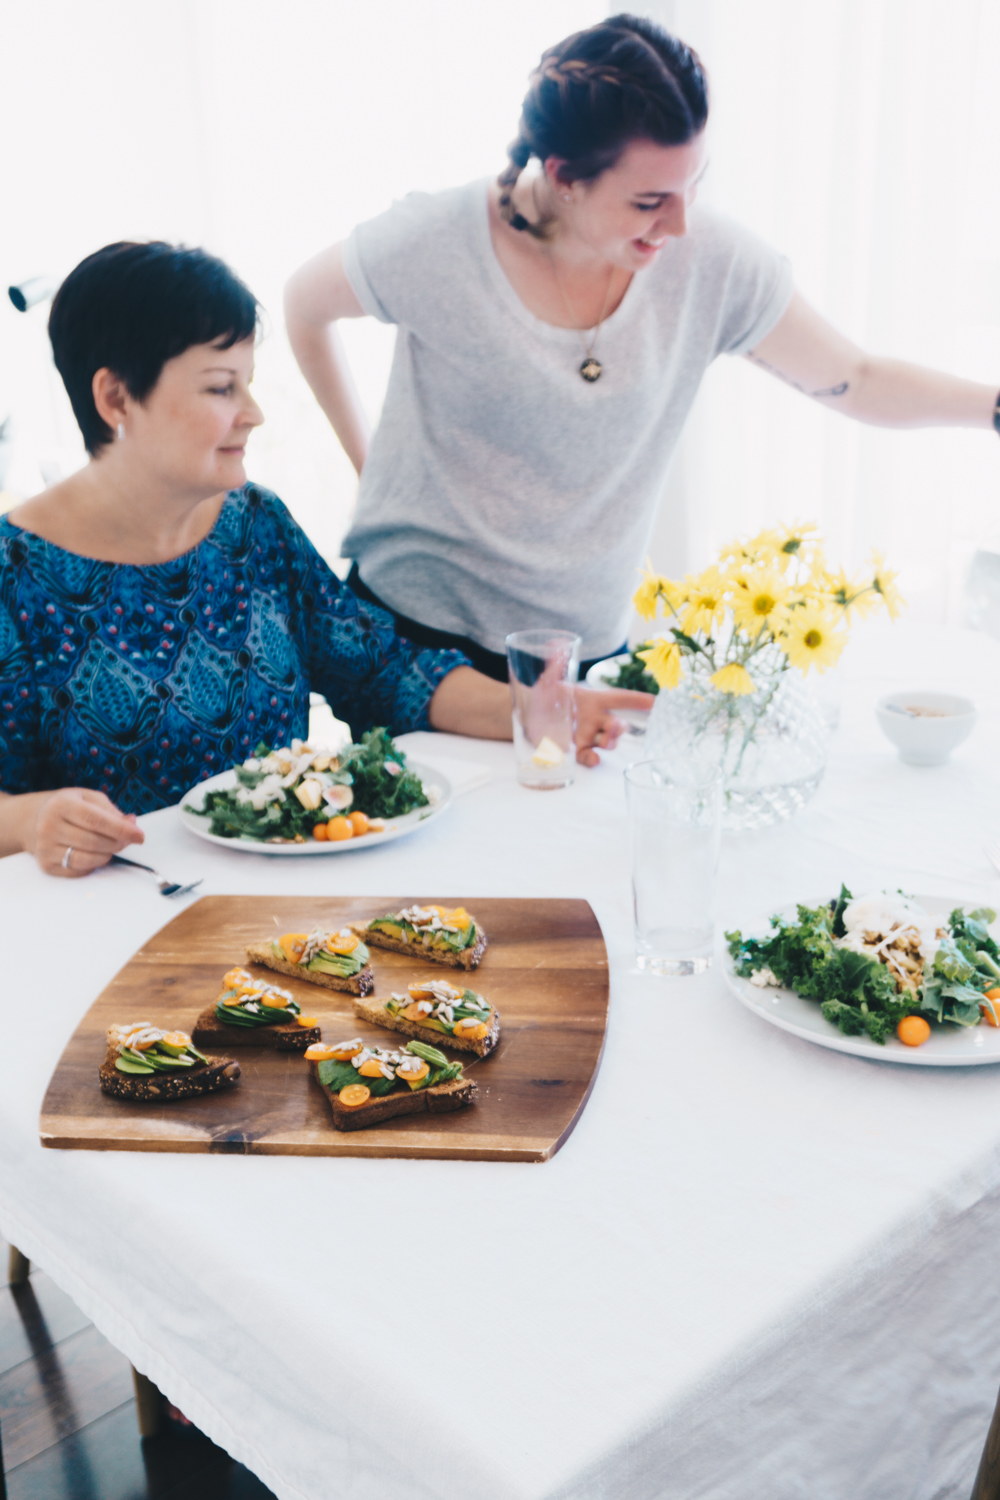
column 881, row 964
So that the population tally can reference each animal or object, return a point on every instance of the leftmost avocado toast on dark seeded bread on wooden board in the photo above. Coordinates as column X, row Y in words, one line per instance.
column 152, row 1066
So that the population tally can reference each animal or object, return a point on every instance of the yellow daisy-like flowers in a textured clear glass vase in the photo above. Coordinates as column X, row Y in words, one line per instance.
column 741, row 638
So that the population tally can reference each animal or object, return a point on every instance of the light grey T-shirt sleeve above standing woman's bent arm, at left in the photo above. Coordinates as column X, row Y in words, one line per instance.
column 401, row 259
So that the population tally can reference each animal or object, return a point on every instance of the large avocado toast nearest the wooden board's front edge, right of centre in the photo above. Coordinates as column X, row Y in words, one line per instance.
column 370, row 1085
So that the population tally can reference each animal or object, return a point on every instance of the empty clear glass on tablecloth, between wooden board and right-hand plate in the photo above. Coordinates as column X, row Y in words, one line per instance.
column 675, row 823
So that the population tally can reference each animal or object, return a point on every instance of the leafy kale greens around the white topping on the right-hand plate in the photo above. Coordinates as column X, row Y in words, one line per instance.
column 857, row 992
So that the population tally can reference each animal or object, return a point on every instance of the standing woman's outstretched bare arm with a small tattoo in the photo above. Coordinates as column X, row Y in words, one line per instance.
column 807, row 353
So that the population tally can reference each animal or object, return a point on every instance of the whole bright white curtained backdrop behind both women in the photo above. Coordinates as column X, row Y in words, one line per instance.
column 861, row 137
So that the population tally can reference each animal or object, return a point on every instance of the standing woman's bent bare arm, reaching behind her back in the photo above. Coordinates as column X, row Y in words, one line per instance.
column 316, row 299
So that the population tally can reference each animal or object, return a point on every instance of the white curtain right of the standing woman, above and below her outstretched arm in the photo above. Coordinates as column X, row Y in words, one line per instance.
column 863, row 139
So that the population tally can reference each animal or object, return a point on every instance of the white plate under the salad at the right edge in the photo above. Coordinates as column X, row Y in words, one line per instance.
column 947, row 1048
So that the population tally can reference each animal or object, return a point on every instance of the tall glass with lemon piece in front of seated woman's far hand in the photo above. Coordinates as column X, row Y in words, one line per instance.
column 543, row 671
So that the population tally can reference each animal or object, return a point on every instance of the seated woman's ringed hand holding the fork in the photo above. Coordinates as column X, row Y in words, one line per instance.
column 79, row 820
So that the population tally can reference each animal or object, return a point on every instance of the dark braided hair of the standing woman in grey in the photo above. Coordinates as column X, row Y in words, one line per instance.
column 621, row 80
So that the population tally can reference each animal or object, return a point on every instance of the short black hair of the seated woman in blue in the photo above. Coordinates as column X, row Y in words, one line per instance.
column 130, row 308
